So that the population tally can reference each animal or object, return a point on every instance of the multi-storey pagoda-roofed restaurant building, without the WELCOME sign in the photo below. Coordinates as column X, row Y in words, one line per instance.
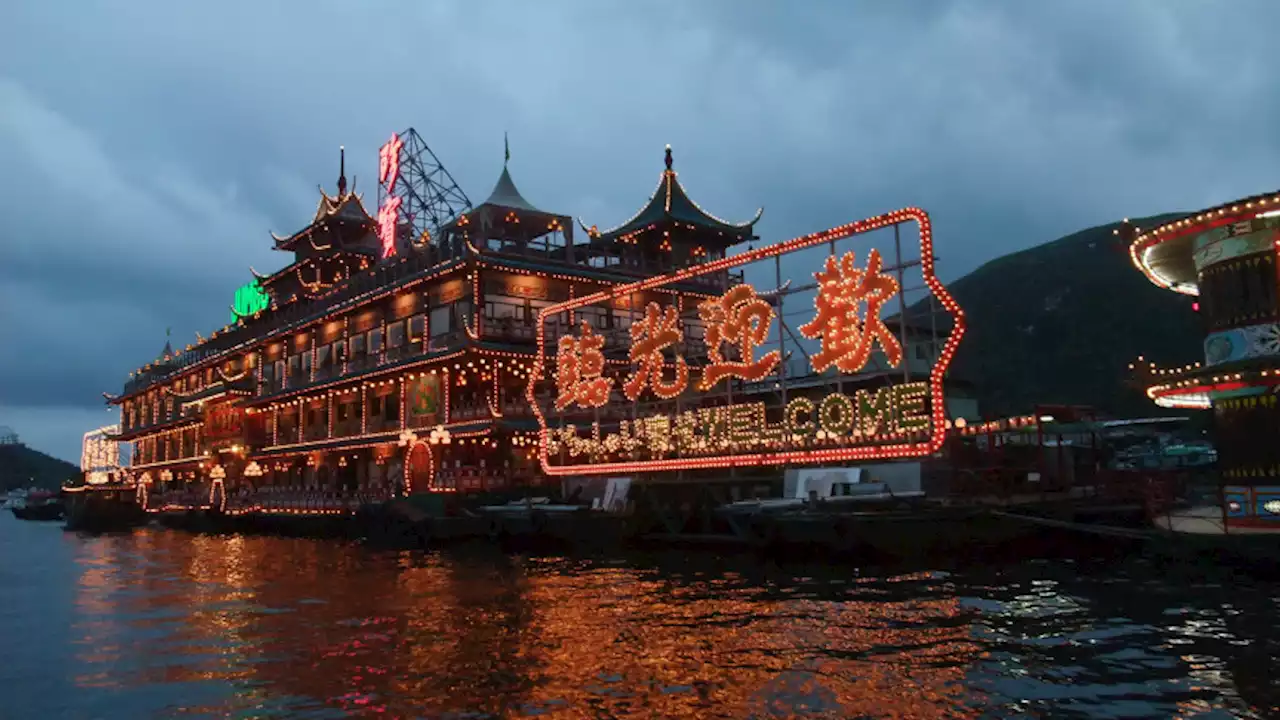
column 373, row 367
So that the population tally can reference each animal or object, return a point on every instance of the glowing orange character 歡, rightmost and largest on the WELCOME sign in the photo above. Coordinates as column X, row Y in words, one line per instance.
column 847, row 330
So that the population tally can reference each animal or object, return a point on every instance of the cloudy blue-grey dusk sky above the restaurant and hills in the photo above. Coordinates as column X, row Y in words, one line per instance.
column 148, row 148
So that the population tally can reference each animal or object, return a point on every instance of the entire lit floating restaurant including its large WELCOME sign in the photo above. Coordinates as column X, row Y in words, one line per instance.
column 491, row 352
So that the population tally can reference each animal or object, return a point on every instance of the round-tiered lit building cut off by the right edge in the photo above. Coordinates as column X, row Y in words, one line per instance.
column 1226, row 258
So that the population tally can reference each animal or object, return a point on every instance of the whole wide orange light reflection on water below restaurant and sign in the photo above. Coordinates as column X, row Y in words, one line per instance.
column 304, row 625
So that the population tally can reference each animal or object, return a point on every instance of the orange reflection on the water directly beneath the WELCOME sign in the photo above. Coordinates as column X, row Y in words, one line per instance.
column 725, row 649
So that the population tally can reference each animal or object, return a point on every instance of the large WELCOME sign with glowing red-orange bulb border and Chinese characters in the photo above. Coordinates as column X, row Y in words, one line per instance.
column 684, row 348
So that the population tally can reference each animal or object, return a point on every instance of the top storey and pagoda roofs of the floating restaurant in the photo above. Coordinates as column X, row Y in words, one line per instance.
column 458, row 289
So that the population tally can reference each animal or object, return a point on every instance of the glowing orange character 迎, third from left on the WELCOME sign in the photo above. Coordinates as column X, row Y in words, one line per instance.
column 739, row 318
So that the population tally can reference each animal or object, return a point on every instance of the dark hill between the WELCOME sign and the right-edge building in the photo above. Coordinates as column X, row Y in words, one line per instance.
column 1062, row 322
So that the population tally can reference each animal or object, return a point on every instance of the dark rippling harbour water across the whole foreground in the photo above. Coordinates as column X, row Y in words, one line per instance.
column 164, row 625
